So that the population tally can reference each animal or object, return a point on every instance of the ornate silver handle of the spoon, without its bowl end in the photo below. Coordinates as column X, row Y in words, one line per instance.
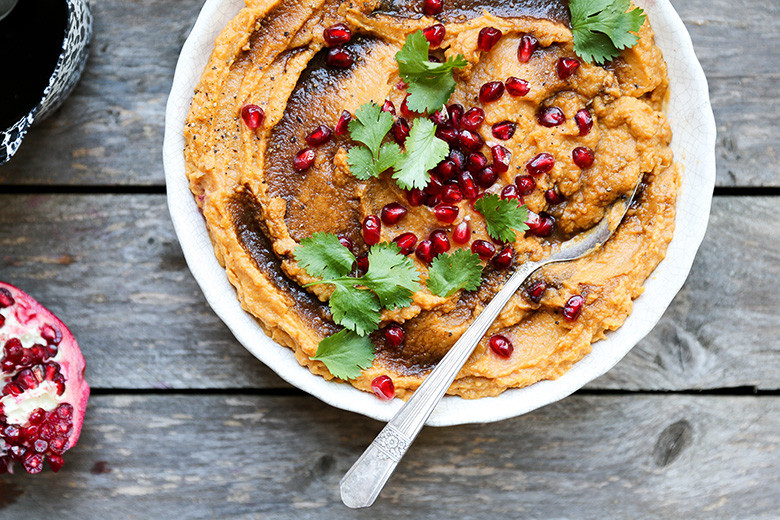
column 365, row 479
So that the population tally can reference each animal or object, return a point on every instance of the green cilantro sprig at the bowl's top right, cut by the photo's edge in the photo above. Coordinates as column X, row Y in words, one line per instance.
column 601, row 28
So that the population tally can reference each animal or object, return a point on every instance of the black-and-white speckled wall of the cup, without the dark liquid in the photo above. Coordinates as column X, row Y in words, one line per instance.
column 67, row 72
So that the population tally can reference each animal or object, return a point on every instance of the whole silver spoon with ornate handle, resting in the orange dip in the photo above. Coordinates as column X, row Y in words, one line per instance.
column 364, row 481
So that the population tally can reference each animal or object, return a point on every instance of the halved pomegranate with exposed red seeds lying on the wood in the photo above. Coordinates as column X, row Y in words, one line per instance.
column 44, row 394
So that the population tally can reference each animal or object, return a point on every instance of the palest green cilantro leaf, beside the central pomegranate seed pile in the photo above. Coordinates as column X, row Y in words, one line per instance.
column 423, row 151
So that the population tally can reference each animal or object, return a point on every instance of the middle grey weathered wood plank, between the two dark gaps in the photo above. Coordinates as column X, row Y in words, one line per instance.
column 111, row 267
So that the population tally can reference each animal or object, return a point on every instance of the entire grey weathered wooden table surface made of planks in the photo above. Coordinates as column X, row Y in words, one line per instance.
column 184, row 423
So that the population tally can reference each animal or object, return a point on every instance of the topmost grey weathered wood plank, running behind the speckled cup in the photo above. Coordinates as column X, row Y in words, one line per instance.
column 110, row 131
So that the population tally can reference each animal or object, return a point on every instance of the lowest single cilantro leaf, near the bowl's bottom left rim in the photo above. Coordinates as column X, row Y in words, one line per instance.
column 345, row 354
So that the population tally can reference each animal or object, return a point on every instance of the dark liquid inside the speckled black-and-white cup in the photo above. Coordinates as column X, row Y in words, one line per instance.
column 31, row 40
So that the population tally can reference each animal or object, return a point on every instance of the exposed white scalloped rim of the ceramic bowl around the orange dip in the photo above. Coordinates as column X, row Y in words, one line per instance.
column 693, row 124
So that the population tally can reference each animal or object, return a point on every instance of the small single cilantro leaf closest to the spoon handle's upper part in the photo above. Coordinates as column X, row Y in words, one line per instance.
column 450, row 272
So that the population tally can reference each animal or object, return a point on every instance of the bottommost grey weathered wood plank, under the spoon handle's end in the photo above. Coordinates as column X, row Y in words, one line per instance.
column 251, row 457
